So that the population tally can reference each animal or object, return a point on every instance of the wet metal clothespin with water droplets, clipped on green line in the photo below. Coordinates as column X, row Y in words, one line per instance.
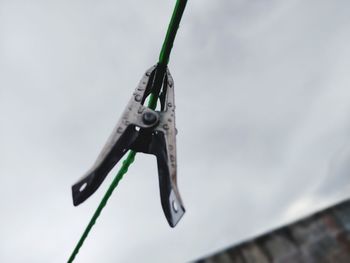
column 142, row 129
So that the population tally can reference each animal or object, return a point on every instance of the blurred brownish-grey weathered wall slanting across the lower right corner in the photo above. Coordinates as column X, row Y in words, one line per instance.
column 323, row 237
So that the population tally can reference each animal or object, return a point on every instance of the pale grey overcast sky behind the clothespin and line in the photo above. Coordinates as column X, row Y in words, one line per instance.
column 263, row 113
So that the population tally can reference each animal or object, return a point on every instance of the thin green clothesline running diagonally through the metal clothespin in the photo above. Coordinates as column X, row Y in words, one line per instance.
column 152, row 103
